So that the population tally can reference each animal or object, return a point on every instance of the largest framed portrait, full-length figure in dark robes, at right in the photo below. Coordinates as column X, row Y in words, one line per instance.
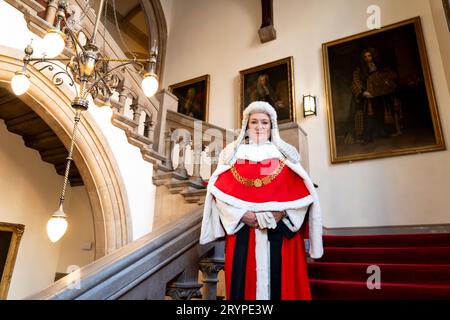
column 380, row 95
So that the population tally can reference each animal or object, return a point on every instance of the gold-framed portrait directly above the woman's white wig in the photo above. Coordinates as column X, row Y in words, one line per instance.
column 271, row 82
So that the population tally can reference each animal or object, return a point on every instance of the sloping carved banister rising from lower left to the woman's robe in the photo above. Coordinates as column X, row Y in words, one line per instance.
column 164, row 263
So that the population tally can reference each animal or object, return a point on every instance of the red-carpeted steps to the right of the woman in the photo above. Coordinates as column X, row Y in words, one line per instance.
column 413, row 266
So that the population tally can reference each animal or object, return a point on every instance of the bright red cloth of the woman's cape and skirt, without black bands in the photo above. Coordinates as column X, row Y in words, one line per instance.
column 287, row 186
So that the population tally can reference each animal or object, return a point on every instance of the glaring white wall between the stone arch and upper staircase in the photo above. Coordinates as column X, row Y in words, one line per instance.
column 135, row 172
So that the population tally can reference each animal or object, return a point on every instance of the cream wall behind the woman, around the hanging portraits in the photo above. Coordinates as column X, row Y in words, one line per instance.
column 220, row 38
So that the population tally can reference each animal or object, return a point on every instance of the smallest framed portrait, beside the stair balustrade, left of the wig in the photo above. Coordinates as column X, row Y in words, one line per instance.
column 193, row 97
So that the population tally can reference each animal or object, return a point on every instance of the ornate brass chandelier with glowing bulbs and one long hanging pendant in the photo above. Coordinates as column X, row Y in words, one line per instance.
column 88, row 71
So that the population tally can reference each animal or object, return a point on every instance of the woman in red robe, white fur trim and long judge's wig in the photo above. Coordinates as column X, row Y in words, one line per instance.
column 258, row 198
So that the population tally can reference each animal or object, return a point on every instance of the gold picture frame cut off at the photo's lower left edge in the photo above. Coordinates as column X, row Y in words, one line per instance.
column 10, row 236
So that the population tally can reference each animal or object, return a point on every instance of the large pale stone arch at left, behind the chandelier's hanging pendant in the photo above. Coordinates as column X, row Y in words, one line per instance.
column 94, row 159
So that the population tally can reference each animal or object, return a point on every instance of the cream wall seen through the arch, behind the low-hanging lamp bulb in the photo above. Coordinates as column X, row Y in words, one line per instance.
column 29, row 192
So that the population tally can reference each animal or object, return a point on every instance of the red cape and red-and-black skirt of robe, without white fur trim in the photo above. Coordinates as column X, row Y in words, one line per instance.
column 288, row 267
